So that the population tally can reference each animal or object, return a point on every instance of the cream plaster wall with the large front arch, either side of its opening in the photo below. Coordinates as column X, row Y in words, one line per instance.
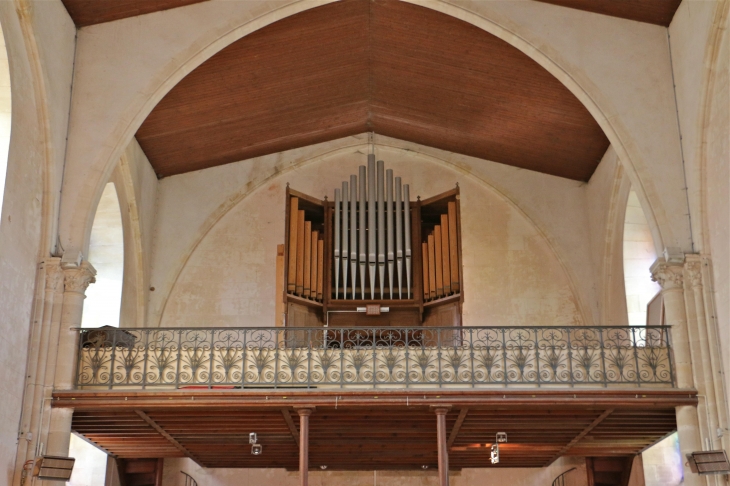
column 620, row 69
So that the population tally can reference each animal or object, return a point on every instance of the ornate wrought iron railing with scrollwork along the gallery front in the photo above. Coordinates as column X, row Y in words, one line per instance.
column 374, row 357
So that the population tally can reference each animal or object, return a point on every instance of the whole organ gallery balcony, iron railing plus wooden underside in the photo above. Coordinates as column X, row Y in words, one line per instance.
column 199, row 393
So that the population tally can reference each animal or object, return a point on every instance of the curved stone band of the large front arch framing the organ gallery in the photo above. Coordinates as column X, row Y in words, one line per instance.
column 76, row 214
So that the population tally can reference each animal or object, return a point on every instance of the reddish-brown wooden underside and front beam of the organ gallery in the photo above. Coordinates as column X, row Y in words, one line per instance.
column 363, row 431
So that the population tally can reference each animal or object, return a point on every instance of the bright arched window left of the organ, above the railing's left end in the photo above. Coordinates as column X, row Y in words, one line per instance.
column 106, row 252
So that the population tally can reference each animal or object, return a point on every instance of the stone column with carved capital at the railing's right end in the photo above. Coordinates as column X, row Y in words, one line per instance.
column 670, row 277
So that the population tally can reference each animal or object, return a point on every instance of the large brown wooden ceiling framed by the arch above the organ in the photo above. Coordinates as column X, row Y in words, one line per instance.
column 386, row 66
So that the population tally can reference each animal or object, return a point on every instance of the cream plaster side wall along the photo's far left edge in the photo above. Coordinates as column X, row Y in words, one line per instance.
column 40, row 44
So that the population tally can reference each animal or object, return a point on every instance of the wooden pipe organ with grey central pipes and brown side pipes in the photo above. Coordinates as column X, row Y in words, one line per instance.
column 372, row 257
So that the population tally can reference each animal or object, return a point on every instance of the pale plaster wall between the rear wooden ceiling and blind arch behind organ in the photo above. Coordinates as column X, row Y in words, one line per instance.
column 555, row 207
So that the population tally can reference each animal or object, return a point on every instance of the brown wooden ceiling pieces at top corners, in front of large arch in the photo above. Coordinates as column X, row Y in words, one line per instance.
column 90, row 12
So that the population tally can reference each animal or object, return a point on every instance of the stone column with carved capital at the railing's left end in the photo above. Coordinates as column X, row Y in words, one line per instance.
column 76, row 281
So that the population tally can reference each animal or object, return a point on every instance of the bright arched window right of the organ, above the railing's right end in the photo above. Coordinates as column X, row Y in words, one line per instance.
column 638, row 255
